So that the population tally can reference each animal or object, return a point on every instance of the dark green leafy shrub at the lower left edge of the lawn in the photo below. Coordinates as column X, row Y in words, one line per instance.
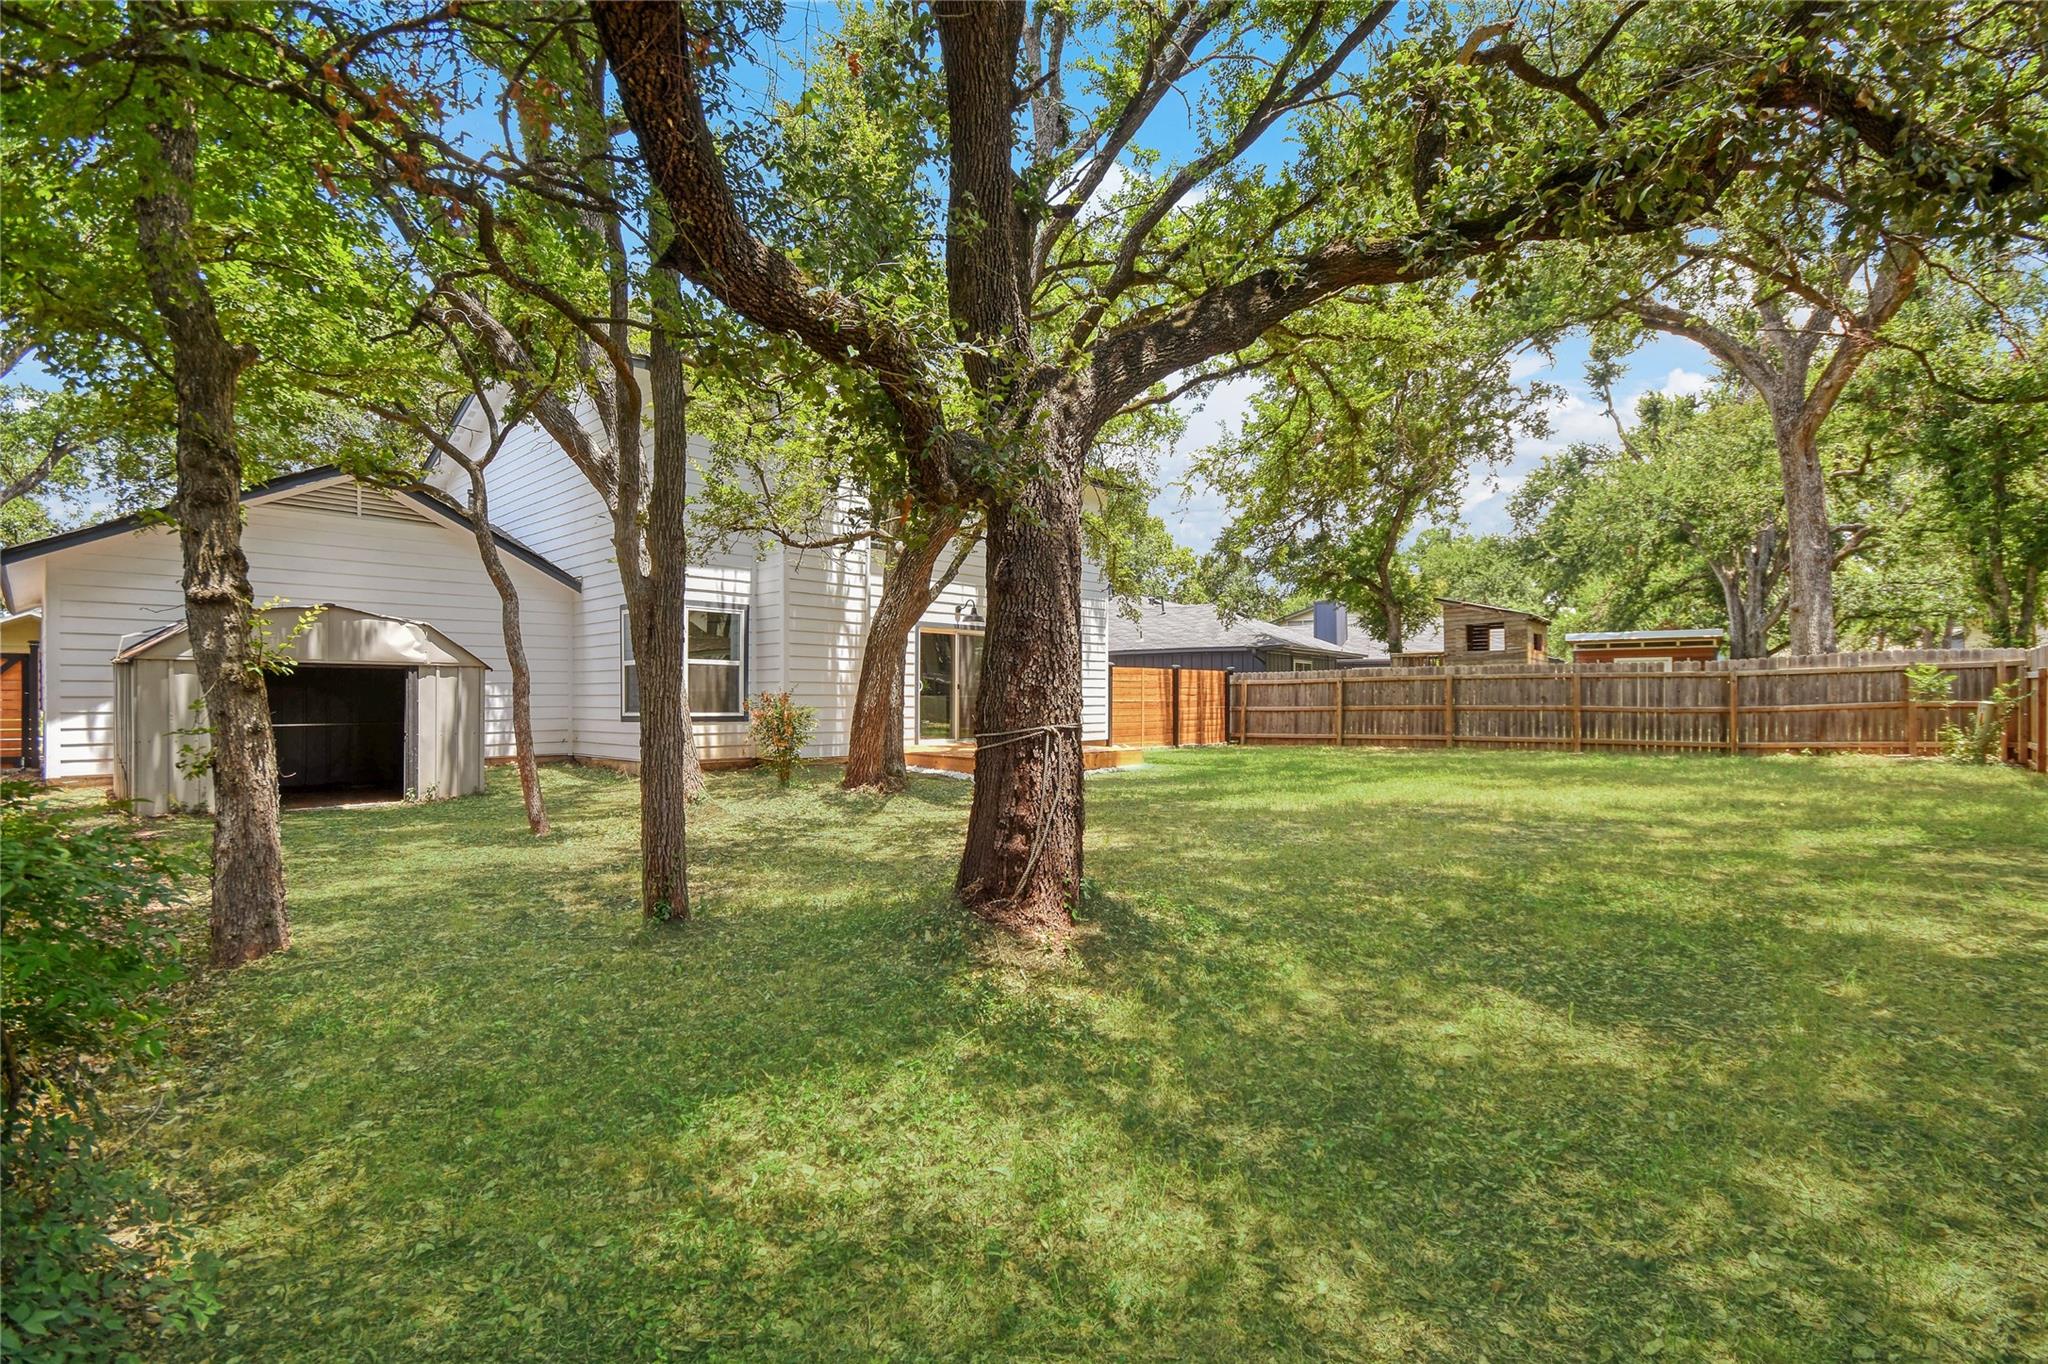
column 85, row 953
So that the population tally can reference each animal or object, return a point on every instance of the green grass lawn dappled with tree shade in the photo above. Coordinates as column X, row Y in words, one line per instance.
column 1365, row 1058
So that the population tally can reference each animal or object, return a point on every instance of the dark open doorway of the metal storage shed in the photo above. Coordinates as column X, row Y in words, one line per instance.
column 341, row 730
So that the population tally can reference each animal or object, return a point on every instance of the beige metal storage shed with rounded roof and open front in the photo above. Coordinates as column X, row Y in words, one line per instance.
column 378, row 708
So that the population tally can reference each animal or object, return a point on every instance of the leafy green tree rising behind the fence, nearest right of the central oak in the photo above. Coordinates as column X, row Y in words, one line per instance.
column 1363, row 433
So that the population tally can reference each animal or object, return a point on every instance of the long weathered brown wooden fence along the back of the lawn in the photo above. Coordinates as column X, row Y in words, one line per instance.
column 1836, row 701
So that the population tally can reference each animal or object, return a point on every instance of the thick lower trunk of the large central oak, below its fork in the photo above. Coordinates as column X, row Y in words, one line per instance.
column 1023, row 861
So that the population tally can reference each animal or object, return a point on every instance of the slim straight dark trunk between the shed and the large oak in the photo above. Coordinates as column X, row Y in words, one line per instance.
column 660, row 620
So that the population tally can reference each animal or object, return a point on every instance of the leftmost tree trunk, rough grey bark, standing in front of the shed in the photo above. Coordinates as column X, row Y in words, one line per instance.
column 249, row 865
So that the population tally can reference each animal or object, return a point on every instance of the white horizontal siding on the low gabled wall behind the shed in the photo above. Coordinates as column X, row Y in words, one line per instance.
column 304, row 554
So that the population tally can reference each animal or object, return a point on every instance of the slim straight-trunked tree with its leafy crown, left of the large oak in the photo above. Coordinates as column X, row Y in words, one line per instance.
column 552, row 218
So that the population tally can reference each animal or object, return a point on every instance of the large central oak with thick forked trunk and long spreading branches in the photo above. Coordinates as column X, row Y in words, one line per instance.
column 1062, row 321
